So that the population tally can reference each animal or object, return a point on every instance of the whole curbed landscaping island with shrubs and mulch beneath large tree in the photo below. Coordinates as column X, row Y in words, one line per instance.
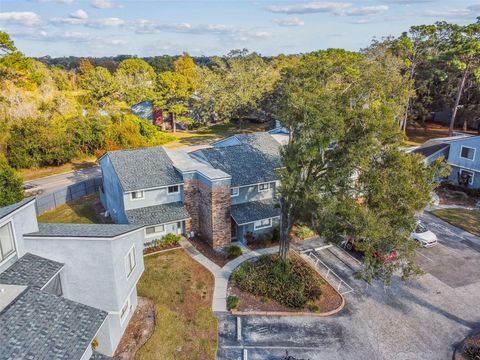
column 262, row 286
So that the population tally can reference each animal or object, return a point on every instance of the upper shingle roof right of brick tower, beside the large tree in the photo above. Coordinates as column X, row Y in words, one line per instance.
column 252, row 162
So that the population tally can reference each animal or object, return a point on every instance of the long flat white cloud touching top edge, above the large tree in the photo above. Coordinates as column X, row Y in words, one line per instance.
column 339, row 8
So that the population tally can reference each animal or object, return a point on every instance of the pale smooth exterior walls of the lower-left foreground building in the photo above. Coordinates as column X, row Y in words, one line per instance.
column 96, row 275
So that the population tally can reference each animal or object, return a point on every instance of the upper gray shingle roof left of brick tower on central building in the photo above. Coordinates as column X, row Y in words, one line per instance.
column 145, row 168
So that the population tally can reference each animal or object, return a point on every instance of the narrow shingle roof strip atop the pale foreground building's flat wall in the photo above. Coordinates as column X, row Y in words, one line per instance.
column 82, row 230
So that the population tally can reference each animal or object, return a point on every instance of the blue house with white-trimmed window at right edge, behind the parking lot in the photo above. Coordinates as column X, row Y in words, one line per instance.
column 461, row 152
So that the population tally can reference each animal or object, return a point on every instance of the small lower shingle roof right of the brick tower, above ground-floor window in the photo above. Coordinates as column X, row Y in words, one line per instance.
column 253, row 211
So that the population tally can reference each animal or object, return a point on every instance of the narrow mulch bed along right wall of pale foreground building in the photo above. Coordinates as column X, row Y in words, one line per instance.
column 139, row 330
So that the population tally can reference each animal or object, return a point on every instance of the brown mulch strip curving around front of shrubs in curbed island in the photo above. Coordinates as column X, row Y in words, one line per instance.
column 329, row 300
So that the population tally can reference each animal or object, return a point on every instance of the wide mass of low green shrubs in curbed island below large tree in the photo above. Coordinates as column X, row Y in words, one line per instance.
column 293, row 284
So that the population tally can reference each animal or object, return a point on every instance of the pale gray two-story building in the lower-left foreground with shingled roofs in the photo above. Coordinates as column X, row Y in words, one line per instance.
column 62, row 286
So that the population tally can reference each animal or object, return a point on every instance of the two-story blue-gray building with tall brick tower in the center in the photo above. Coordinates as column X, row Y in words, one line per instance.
column 220, row 193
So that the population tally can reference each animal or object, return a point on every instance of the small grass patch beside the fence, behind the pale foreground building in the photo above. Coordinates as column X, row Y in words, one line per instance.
column 81, row 211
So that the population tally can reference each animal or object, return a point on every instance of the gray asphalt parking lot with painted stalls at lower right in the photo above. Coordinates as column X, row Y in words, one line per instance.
column 418, row 320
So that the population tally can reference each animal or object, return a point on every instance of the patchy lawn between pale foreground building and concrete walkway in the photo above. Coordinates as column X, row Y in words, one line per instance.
column 186, row 328
